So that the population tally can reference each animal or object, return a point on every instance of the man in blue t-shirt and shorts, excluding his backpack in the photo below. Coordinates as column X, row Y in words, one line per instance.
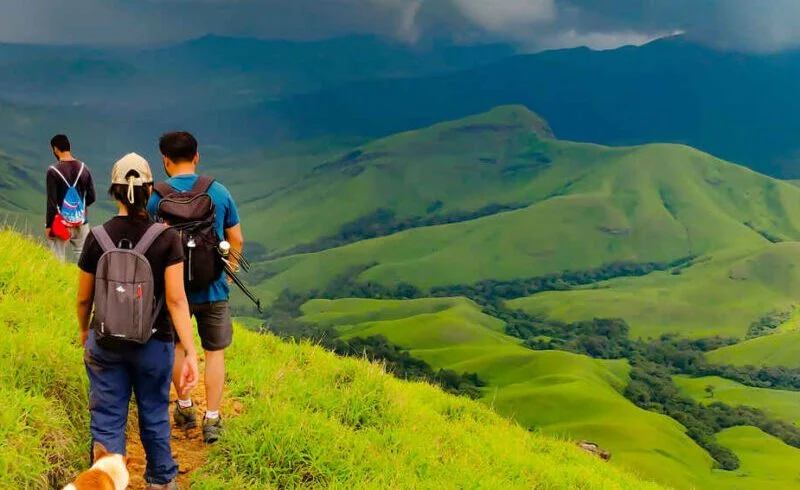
column 210, row 306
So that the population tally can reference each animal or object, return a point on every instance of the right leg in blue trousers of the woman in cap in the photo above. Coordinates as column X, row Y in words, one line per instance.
column 152, row 375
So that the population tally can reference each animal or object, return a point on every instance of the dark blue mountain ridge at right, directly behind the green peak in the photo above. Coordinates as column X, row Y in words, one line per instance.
column 742, row 108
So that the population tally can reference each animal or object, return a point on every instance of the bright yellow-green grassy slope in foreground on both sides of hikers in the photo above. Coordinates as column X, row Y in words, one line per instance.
column 310, row 419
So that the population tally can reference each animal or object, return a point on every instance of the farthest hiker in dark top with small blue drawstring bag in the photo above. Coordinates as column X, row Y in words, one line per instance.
column 70, row 191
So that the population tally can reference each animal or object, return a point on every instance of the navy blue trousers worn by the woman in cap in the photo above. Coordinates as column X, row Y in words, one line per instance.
column 147, row 372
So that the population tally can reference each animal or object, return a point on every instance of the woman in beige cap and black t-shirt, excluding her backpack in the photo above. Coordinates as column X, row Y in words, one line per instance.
column 146, row 370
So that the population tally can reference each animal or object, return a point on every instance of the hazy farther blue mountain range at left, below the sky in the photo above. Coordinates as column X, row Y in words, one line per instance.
column 215, row 72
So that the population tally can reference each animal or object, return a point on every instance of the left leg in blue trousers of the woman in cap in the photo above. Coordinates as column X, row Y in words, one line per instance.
column 109, row 395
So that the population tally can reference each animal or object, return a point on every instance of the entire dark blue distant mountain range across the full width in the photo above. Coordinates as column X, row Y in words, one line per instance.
column 242, row 93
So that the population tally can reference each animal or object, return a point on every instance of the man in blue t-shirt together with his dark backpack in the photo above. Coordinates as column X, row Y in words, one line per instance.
column 203, row 225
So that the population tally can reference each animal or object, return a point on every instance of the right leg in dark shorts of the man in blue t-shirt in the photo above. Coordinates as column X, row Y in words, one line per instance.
column 216, row 334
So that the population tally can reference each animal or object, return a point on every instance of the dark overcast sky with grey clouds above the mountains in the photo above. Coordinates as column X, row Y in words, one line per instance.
column 757, row 25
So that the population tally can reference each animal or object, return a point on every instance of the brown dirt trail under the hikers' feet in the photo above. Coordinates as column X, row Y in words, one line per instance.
column 187, row 446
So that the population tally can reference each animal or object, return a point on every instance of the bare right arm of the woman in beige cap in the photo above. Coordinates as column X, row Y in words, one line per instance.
column 178, row 307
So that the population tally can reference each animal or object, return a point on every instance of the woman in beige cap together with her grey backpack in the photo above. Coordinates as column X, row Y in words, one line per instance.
column 130, row 267
